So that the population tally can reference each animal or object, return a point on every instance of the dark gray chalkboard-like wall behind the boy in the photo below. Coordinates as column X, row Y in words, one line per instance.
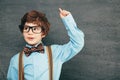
column 99, row 20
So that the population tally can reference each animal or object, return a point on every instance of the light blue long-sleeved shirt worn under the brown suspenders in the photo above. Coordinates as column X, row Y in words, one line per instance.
column 36, row 65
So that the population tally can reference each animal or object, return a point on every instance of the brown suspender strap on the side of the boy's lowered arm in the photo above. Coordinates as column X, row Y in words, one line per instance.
column 21, row 68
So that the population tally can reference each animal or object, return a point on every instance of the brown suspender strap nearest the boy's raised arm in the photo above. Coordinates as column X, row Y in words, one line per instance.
column 49, row 52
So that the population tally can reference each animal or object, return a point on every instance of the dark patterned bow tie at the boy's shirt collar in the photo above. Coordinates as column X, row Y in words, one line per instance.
column 28, row 50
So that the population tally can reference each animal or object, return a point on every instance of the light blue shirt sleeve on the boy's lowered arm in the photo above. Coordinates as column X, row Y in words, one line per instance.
column 12, row 71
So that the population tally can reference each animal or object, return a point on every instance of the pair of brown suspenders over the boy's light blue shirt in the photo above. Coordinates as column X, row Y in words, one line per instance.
column 21, row 68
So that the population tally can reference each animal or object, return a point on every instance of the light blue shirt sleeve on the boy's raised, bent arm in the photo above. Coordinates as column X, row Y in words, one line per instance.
column 76, row 43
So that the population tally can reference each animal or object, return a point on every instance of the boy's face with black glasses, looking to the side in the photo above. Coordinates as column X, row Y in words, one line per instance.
column 30, row 35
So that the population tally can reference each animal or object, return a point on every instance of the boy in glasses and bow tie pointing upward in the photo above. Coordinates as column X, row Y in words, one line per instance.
column 35, row 26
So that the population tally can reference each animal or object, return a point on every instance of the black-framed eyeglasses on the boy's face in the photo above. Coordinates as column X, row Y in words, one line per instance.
column 35, row 29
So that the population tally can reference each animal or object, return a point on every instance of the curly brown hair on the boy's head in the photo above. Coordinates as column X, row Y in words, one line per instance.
column 35, row 17
